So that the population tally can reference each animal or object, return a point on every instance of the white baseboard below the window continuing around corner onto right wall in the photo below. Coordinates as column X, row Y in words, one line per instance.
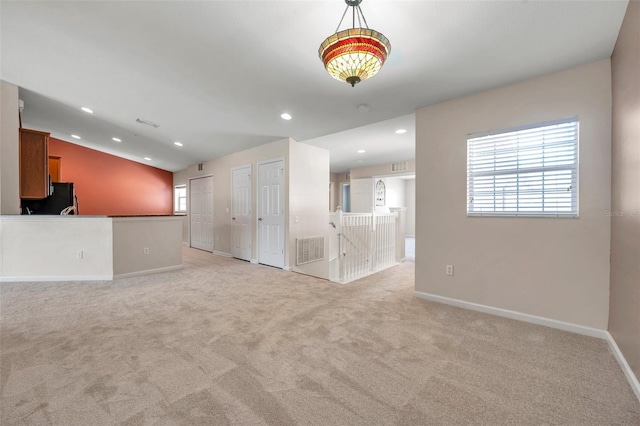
column 547, row 322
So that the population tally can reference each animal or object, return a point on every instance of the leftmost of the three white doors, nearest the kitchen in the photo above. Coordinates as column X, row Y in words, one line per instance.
column 201, row 213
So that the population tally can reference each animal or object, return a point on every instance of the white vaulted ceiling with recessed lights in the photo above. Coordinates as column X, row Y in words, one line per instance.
column 216, row 75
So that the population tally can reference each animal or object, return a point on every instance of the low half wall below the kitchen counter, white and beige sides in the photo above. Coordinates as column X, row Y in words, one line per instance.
column 85, row 248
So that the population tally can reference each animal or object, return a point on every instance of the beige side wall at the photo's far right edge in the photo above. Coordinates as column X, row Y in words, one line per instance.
column 624, row 316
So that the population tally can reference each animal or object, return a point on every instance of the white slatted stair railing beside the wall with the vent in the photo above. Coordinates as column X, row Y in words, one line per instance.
column 366, row 243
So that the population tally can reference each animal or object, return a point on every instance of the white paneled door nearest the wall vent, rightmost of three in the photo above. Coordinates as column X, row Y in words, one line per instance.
column 271, row 213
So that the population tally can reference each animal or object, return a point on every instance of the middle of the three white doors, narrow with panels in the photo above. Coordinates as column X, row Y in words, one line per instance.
column 241, row 228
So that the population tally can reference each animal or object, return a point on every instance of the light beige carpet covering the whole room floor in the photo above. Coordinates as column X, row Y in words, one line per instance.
column 226, row 342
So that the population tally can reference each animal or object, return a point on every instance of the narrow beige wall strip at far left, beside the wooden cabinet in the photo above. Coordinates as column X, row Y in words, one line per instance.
column 9, row 162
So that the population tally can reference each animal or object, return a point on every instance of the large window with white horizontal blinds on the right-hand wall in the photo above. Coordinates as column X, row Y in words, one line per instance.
column 525, row 171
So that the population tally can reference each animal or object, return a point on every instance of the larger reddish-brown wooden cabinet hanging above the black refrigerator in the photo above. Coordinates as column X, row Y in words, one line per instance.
column 34, row 164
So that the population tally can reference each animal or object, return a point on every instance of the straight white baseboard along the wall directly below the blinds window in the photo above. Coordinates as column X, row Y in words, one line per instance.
column 548, row 322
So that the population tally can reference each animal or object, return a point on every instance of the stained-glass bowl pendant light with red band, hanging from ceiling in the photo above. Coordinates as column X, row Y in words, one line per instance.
column 357, row 53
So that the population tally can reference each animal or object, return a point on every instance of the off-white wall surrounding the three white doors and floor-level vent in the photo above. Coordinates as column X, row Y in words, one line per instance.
column 306, row 178
